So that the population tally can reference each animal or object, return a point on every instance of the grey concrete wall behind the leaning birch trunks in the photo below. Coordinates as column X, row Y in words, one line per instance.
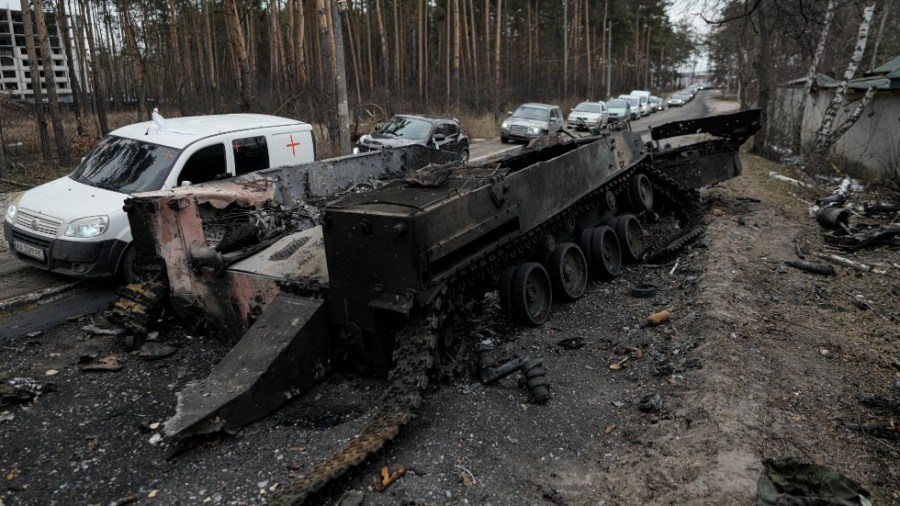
column 871, row 148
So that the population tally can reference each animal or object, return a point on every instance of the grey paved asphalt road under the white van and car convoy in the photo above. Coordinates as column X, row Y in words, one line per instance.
column 21, row 285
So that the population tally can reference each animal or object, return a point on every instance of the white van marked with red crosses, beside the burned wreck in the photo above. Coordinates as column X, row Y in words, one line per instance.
column 76, row 226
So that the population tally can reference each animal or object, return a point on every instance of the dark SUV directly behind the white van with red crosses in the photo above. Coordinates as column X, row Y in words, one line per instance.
column 437, row 132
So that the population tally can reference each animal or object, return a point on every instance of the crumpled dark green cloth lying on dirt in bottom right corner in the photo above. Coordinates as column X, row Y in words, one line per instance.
column 789, row 481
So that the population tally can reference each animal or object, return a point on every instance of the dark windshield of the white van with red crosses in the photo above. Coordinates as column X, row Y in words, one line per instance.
column 126, row 165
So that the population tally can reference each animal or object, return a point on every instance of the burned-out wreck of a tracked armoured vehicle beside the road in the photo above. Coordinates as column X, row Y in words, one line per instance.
column 403, row 261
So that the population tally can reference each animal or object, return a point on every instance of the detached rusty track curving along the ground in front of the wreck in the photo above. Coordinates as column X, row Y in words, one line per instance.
column 414, row 355
